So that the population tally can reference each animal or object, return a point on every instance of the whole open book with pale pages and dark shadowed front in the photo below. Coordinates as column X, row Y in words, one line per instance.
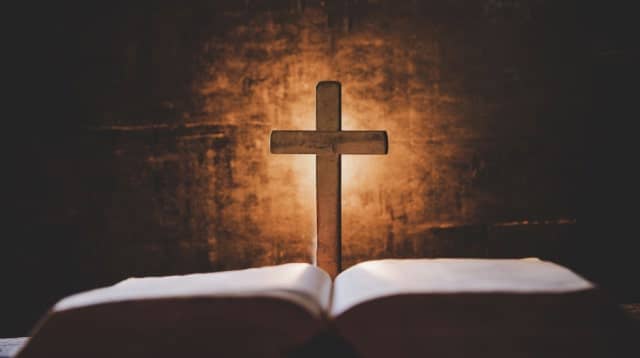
column 385, row 308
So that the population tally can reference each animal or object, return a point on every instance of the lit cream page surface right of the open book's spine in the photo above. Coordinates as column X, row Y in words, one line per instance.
column 374, row 279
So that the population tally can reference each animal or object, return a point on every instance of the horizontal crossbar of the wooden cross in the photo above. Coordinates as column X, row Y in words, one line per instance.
column 329, row 142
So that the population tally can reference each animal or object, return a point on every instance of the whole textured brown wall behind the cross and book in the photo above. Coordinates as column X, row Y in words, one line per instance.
column 149, row 153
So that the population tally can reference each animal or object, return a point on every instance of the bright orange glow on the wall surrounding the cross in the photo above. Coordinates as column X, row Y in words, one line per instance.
column 424, row 180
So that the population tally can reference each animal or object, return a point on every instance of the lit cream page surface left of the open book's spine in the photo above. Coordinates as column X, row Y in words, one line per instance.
column 300, row 283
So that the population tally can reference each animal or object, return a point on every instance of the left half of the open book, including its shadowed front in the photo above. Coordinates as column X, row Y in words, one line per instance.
column 267, row 311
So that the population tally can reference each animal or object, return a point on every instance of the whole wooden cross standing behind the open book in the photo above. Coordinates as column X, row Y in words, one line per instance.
column 328, row 142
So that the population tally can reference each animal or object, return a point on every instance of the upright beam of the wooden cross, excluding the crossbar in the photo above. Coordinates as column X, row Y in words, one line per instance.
column 328, row 180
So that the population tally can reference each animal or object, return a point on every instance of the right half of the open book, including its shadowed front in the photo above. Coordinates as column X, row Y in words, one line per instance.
column 470, row 307
